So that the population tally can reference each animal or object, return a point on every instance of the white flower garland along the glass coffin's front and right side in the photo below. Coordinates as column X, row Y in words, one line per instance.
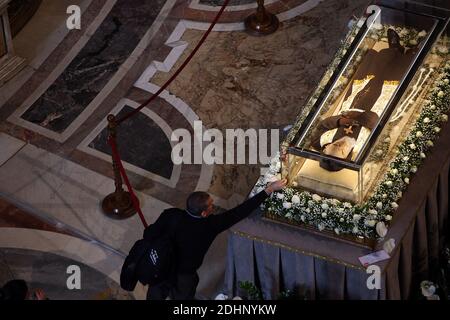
column 369, row 220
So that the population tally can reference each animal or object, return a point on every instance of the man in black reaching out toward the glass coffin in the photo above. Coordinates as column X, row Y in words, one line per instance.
column 193, row 230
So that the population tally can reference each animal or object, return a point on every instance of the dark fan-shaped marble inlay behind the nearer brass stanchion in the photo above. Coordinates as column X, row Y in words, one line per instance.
column 141, row 143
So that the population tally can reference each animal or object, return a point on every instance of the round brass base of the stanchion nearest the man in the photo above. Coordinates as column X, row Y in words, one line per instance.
column 118, row 206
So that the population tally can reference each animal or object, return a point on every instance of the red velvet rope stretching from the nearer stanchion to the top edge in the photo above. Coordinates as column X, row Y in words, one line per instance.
column 185, row 63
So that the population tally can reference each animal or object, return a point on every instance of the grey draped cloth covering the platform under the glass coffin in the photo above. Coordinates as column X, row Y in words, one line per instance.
column 278, row 257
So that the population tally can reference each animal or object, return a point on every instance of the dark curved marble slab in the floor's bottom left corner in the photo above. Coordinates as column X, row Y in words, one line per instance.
column 48, row 271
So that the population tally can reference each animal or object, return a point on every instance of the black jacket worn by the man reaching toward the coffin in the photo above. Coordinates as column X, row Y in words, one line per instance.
column 193, row 235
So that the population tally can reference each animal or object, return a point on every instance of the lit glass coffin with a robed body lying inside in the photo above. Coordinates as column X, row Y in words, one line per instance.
column 364, row 105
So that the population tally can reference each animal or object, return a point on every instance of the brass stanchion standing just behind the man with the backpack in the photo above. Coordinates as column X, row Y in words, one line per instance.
column 117, row 205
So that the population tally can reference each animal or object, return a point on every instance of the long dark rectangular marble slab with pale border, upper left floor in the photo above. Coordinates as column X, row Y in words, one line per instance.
column 95, row 64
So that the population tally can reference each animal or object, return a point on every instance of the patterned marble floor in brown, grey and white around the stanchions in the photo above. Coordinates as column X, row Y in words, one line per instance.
column 55, row 165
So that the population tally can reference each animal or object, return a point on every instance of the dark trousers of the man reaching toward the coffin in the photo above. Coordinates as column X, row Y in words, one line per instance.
column 180, row 287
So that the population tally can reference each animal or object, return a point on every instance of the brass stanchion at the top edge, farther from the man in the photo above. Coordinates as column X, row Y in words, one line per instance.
column 262, row 22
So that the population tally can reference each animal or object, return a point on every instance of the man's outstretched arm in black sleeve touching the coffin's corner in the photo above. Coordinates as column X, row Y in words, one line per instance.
column 227, row 219
